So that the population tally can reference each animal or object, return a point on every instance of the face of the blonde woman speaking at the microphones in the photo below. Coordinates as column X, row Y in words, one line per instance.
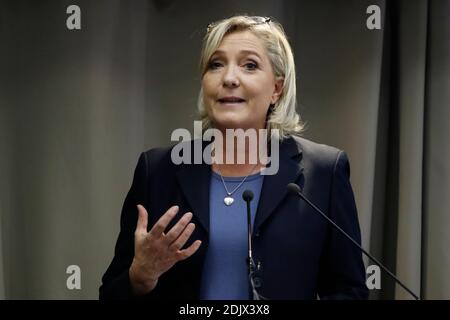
column 239, row 84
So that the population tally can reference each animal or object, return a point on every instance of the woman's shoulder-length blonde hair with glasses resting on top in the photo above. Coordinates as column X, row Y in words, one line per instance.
column 283, row 116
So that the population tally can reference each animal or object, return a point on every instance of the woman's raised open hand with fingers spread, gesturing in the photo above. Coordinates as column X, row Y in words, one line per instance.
column 155, row 252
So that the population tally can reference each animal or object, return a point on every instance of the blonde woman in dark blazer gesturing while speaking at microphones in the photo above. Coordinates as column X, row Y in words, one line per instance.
column 184, row 227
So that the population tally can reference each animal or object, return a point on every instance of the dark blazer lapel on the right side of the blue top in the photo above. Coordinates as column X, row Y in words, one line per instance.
column 274, row 187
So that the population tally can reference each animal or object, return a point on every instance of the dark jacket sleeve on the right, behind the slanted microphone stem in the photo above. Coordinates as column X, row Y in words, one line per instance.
column 342, row 273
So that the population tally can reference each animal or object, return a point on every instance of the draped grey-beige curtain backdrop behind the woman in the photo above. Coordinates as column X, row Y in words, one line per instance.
column 77, row 108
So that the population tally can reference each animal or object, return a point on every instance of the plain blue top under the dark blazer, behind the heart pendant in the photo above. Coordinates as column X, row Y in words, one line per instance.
column 225, row 274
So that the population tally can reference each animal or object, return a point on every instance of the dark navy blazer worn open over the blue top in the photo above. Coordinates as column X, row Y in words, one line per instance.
column 300, row 254
